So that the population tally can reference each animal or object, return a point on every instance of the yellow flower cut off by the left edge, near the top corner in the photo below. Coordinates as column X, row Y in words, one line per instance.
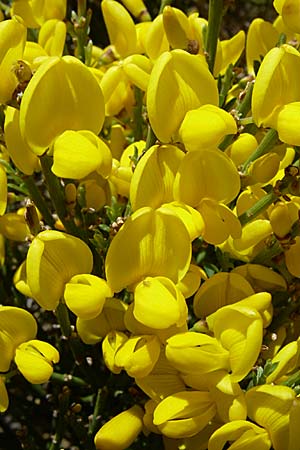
column 13, row 38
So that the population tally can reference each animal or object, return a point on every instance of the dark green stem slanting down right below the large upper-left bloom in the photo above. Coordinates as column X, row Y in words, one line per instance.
column 57, row 196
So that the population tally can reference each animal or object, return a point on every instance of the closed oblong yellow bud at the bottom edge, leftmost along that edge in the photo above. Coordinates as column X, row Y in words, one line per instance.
column 120, row 432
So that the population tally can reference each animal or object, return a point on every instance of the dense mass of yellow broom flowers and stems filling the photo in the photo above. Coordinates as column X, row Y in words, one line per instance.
column 163, row 220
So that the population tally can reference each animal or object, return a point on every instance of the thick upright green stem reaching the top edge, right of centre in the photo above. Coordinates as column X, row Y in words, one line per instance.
column 215, row 14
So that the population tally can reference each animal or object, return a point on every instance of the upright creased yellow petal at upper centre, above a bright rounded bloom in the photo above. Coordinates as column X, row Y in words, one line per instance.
column 178, row 83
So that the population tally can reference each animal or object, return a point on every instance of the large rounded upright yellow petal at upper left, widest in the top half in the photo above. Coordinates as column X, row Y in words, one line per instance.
column 72, row 100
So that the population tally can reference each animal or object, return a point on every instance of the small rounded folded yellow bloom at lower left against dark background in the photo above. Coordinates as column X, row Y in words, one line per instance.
column 35, row 360
